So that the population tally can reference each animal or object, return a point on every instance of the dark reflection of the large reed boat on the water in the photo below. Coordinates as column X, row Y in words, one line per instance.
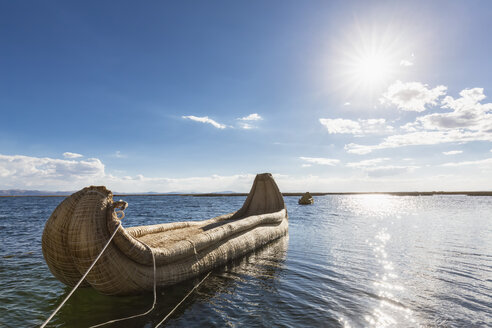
column 246, row 279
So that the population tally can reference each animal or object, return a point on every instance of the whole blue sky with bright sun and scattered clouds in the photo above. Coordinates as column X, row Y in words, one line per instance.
column 200, row 96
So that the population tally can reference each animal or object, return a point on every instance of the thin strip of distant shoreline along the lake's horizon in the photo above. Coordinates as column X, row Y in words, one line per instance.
column 397, row 193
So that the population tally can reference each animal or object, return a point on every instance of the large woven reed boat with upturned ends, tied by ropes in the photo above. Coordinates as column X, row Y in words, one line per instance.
column 81, row 225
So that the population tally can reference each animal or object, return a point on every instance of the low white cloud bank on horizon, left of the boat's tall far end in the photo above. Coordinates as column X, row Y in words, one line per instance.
column 43, row 173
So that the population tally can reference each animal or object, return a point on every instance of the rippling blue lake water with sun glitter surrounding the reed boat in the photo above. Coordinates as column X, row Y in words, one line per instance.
column 348, row 261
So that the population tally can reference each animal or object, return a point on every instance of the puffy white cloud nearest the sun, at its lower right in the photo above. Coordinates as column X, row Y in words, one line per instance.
column 412, row 96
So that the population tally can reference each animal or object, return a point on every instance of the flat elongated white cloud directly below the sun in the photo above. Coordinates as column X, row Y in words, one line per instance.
column 359, row 127
